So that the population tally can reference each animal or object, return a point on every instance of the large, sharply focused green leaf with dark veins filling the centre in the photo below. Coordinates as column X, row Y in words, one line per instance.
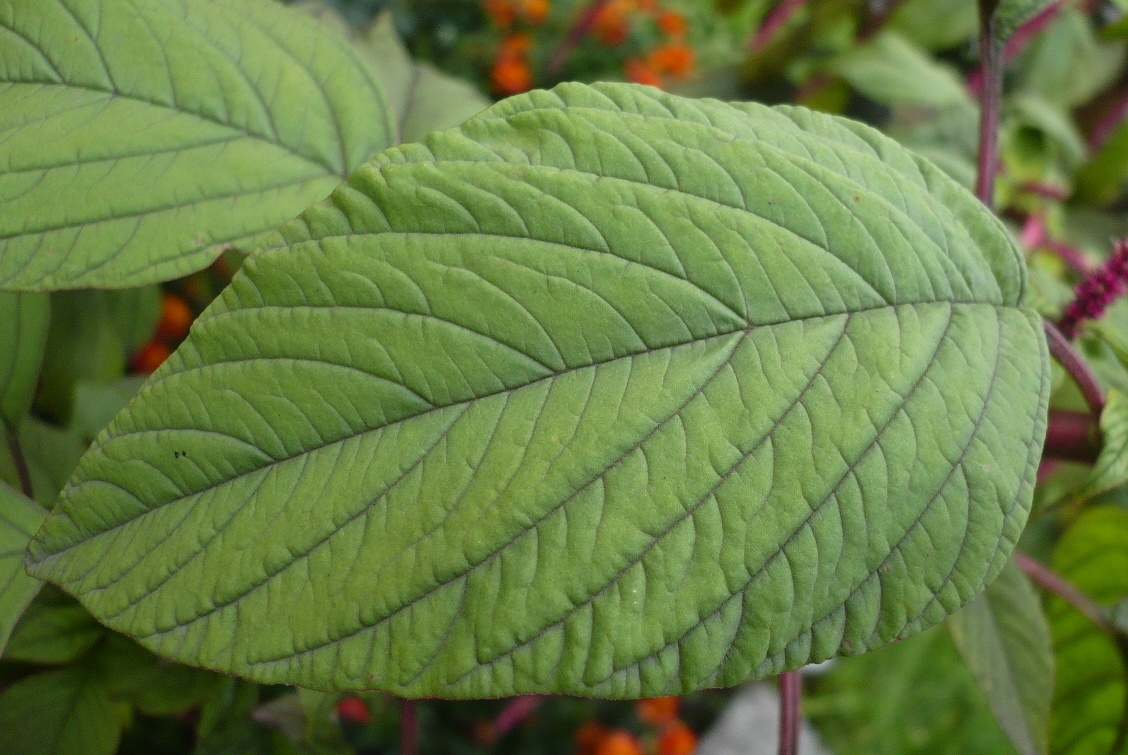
column 607, row 392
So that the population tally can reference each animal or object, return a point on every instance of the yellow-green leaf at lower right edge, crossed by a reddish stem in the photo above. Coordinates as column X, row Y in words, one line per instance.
column 1090, row 713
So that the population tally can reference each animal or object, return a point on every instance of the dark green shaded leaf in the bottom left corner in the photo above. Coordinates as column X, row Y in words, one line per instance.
column 65, row 713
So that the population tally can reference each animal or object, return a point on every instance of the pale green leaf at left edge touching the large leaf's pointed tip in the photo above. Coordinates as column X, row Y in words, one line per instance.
column 20, row 519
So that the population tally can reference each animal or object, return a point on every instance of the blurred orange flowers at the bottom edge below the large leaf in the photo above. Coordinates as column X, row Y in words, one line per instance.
column 659, row 715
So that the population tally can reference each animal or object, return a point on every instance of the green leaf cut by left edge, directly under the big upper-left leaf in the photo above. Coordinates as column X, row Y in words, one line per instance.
column 23, row 332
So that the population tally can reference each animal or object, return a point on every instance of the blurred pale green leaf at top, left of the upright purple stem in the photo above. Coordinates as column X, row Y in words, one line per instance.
column 892, row 72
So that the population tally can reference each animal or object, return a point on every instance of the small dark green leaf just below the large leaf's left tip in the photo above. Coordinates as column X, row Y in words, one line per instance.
column 55, row 629
